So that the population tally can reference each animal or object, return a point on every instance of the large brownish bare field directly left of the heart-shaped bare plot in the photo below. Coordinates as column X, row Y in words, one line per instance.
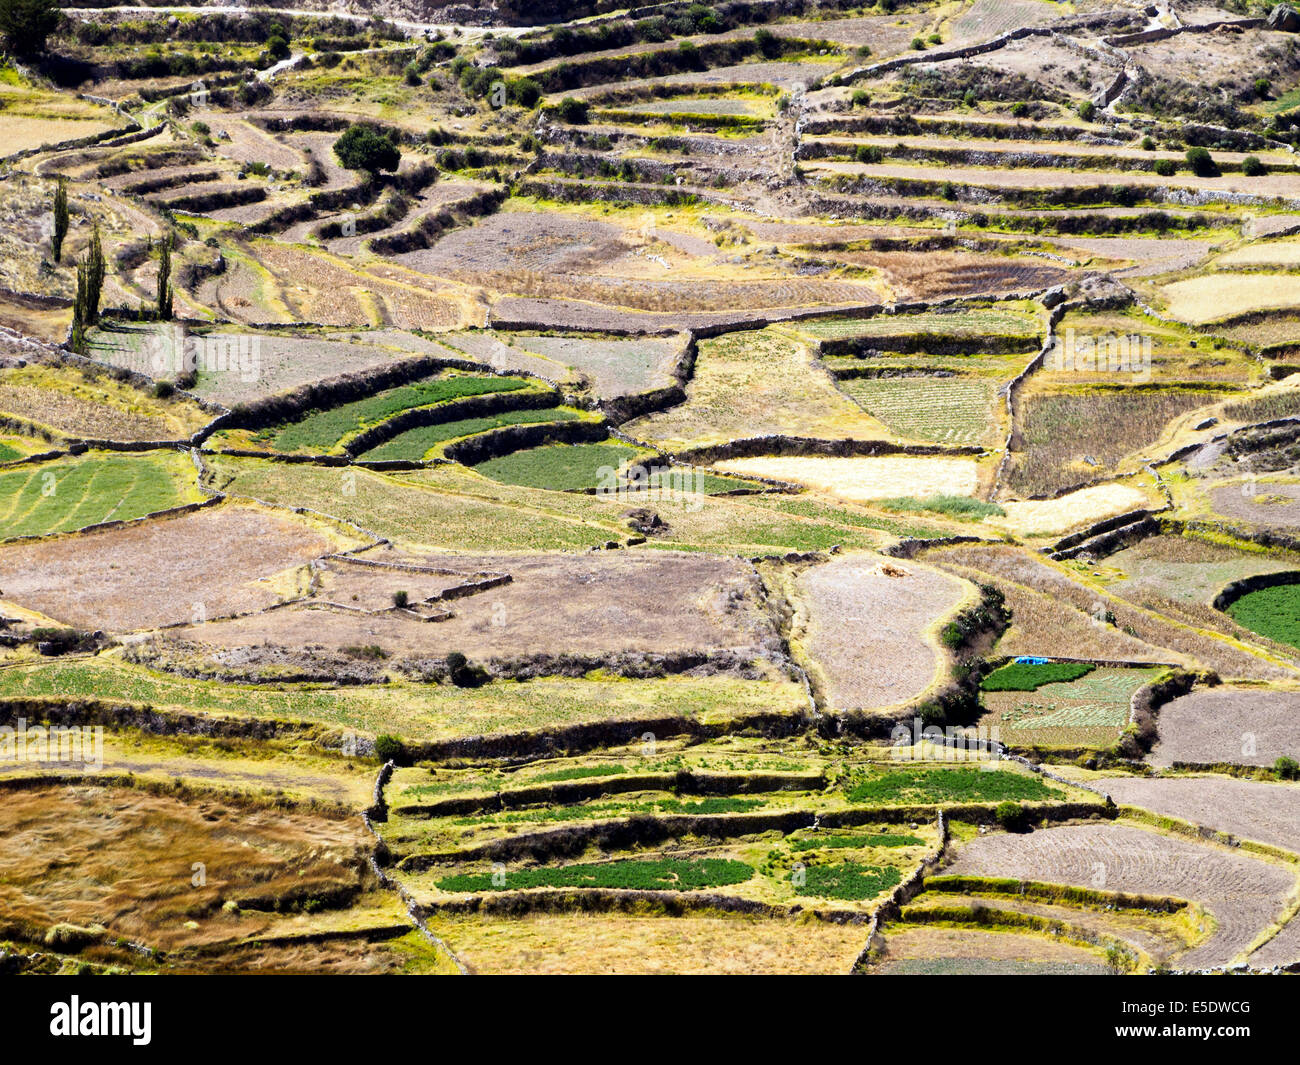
column 601, row 605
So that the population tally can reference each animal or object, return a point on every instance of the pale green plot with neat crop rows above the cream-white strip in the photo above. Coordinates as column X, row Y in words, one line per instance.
column 944, row 410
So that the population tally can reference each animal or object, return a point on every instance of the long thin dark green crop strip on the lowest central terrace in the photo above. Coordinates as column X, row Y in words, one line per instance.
column 643, row 874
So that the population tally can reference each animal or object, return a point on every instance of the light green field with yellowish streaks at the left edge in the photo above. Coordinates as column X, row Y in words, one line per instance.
column 85, row 491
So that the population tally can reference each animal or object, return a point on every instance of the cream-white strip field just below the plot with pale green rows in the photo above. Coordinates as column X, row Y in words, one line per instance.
column 864, row 479
